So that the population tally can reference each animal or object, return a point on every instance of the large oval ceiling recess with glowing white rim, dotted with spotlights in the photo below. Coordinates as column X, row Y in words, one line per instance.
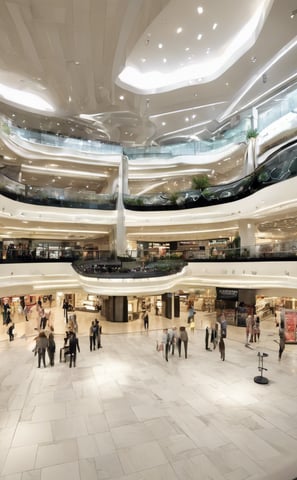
column 237, row 35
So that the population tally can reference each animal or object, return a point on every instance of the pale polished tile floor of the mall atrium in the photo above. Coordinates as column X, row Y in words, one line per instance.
column 125, row 413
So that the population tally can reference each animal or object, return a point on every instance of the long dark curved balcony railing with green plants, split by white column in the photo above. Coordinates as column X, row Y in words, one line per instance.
column 279, row 166
